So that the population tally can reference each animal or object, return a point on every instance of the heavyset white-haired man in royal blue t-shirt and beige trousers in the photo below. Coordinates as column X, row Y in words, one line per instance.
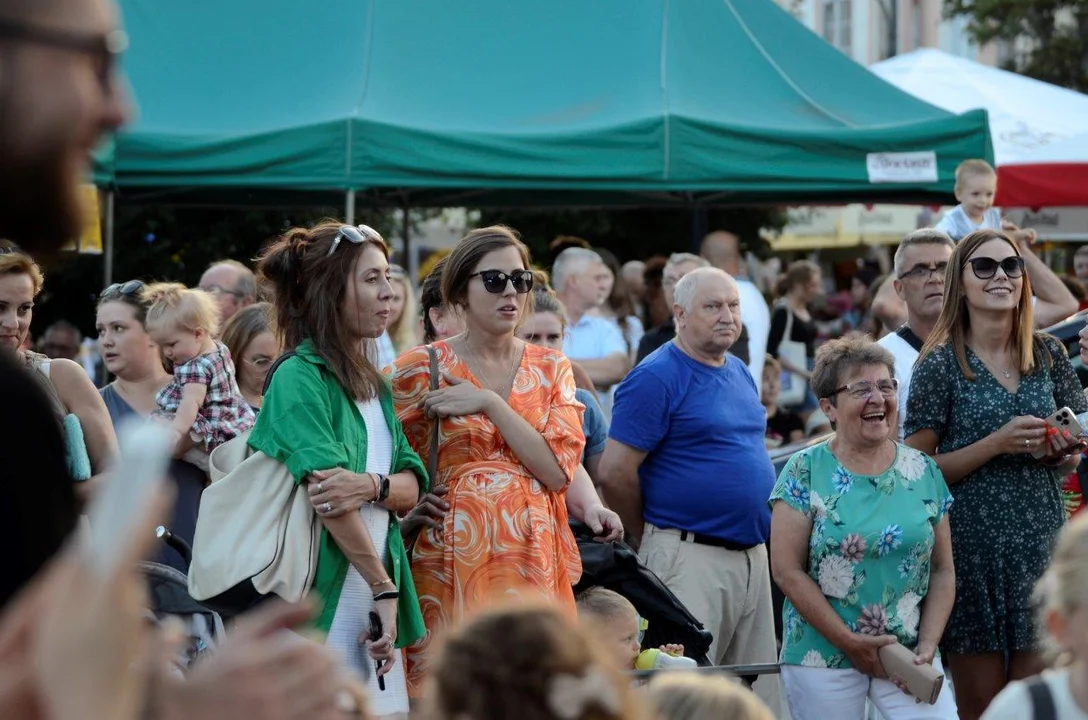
column 687, row 470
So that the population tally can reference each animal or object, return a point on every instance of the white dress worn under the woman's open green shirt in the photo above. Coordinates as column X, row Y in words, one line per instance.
column 356, row 601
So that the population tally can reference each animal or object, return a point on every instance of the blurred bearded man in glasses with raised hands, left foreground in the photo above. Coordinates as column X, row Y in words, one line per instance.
column 72, row 643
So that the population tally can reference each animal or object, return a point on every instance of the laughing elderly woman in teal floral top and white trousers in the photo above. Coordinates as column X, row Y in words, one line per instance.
column 861, row 548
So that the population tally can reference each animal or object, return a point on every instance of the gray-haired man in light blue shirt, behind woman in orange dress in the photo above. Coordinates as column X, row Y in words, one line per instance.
column 580, row 279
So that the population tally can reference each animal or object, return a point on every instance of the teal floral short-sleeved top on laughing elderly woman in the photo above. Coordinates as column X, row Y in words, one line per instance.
column 871, row 547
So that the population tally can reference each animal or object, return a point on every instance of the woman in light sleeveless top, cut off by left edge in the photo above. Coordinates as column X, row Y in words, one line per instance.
column 66, row 382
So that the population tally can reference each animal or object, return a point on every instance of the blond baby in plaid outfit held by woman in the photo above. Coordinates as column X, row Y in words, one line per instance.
column 203, row 404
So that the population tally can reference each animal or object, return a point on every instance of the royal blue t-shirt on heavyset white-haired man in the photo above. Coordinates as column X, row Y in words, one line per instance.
column 707, row 470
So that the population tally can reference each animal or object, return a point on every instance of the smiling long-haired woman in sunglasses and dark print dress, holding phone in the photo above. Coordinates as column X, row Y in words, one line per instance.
column 981, row 393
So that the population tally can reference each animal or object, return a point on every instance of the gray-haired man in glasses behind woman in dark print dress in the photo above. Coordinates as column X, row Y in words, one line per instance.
column 919, row 272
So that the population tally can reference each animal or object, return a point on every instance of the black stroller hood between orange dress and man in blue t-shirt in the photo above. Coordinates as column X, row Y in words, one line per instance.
column 616, row 567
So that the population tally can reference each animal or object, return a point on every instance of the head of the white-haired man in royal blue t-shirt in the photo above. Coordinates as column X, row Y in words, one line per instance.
column 714, row 321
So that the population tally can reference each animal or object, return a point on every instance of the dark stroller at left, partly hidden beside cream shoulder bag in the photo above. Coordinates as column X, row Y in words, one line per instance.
column 170, row 599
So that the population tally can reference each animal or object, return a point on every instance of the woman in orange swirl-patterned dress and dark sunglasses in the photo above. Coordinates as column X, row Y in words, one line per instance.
column 511, row 442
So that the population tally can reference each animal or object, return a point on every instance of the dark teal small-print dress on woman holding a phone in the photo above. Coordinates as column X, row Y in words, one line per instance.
column 1009, row 512
